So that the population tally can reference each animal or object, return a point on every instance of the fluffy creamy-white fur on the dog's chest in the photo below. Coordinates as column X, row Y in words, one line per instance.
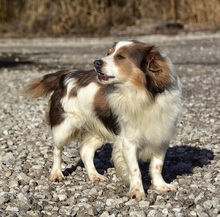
column 145, row 119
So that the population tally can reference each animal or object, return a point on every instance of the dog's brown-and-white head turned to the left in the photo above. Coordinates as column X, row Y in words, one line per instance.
column 135, row 63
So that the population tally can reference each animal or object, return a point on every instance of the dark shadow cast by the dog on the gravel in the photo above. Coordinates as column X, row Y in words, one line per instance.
column 180, row 160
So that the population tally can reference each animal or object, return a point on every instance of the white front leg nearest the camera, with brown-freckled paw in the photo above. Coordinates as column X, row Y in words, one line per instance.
column 130, row 155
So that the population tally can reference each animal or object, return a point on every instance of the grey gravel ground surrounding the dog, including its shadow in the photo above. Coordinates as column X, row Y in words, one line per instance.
column 192, row 162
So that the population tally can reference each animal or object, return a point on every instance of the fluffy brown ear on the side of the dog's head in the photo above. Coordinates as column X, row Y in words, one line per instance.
column 157, row 72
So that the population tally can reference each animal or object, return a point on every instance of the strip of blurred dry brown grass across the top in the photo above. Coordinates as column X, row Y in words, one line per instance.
column 55, row 18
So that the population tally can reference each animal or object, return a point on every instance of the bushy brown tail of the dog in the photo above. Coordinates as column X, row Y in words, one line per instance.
column 44, row 85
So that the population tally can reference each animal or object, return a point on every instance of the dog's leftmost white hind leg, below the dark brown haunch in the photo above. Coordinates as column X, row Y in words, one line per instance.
column 62, row 136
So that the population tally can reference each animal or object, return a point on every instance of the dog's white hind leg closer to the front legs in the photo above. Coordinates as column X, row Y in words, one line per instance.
column 87, row 151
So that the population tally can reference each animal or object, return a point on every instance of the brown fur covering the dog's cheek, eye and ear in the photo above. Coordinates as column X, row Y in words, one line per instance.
column 156, row 74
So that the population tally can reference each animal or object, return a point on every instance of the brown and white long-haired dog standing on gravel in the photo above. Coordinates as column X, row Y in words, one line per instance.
column 131, row 99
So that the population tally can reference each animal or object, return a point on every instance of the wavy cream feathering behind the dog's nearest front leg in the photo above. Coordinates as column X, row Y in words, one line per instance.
column 119, row 162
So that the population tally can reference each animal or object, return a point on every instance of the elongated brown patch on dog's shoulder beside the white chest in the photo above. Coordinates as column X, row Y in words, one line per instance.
column 104, row 112
